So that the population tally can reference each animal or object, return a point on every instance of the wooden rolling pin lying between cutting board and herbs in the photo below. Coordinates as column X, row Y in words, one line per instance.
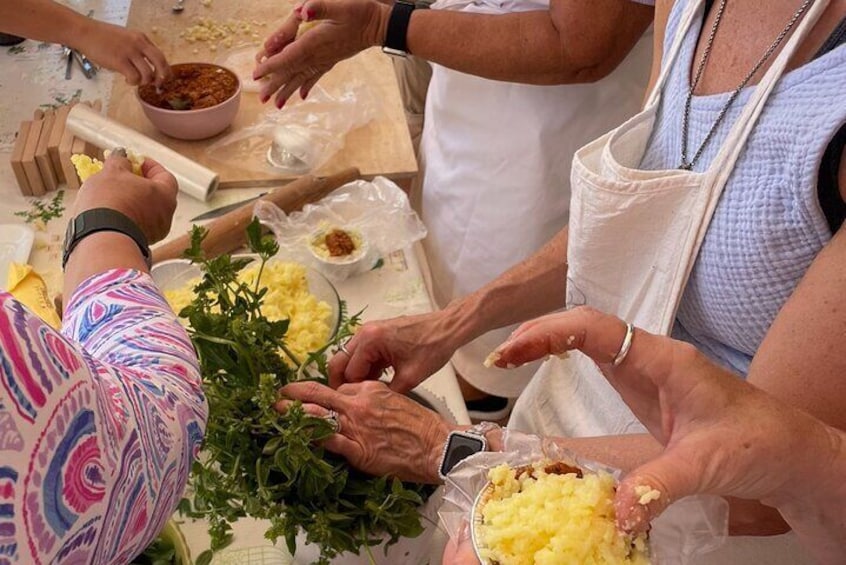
column 228, row 232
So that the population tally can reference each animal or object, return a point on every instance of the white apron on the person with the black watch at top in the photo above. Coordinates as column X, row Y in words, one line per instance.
column 496, row 184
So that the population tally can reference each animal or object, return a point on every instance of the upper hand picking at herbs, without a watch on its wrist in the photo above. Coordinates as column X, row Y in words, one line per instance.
column 413, row 345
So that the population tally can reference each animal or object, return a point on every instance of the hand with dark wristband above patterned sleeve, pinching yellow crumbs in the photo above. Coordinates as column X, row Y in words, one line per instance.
column 148, row 200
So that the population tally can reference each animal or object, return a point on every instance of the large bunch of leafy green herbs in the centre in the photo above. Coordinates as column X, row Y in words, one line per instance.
column 260, row 463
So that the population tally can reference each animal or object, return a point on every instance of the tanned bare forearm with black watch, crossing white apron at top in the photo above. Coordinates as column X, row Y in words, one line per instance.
column 572, row 42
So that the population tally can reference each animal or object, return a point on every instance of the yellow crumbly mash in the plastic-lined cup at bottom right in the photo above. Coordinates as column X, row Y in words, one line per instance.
column 554, row 518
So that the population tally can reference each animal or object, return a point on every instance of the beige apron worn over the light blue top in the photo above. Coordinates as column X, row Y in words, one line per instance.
column 633, row 238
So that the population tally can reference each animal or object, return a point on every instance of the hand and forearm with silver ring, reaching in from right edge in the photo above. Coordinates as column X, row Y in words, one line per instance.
column 721, row 435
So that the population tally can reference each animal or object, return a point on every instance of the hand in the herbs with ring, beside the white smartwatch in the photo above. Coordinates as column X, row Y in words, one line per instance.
column 381, row 432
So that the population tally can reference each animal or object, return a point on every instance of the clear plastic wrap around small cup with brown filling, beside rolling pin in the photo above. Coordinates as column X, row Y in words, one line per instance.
column 377, row 210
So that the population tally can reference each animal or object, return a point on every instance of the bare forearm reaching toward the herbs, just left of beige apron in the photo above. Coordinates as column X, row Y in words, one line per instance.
column 532, row 288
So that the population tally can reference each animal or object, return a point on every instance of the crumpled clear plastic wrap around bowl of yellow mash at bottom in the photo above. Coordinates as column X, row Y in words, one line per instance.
column 690, row 527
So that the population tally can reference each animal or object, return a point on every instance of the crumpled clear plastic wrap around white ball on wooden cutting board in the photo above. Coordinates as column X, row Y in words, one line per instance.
column 303, row 135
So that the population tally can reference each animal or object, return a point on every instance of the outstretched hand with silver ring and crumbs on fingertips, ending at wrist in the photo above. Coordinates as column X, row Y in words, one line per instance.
column 722, row 435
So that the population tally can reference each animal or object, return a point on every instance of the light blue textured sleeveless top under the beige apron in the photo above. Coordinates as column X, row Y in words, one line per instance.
column 768, row 226
